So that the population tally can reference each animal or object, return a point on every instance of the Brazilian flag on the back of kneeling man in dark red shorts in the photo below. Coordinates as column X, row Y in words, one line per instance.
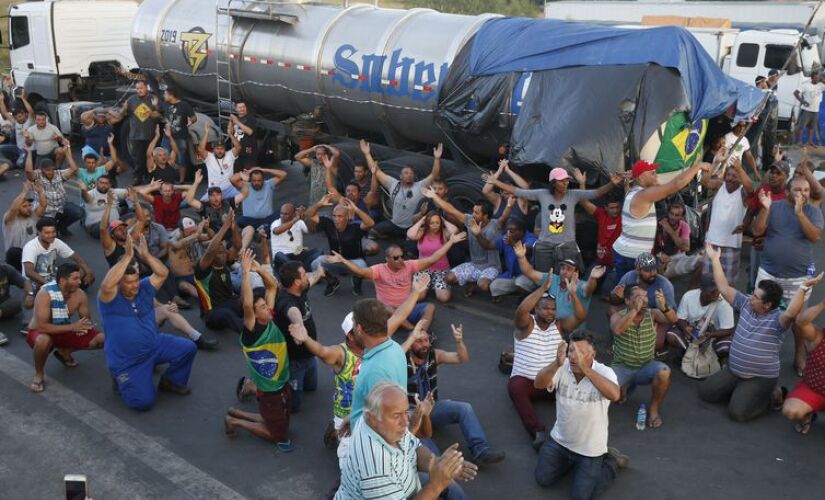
column 267, row 360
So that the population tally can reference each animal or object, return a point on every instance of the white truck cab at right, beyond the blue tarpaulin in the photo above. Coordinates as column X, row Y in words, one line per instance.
column 755, row 53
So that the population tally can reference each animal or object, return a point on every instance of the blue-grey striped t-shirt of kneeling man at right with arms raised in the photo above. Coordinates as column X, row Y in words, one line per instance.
column 754, row 351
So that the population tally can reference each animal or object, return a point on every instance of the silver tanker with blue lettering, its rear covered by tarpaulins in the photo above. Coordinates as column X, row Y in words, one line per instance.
column 552, row 92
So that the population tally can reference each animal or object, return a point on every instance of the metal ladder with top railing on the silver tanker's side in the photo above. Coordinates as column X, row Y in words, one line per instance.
column 226, row 11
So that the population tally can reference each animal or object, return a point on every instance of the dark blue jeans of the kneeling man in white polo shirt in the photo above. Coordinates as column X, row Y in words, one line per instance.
column 591, row 475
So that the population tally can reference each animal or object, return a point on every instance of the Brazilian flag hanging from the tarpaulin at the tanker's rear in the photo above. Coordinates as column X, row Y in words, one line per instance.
column 682, row 143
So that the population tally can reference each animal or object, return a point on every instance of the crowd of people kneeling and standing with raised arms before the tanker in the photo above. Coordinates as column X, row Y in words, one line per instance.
column 238, row 250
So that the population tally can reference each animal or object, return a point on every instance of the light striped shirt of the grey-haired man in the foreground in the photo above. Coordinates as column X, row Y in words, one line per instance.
column 375, row 469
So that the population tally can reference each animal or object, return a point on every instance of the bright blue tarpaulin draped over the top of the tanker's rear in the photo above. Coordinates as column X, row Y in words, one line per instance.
column 506, row 45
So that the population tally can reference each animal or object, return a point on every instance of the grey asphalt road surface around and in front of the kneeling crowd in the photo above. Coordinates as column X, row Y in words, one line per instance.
column 178, row 449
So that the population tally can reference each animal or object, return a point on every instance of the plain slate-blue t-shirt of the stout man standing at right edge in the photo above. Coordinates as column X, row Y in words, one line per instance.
column 787, row 252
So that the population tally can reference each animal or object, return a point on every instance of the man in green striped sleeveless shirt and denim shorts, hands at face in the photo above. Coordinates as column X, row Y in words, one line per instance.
column 634, row 347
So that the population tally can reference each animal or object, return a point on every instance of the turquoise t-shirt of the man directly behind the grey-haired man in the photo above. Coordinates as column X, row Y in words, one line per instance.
column 384, row 362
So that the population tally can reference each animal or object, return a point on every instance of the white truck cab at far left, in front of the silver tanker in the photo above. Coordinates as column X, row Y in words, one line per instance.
column 62, row 50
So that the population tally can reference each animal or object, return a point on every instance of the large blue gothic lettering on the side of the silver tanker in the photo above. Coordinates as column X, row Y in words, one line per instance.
column 368, row 76
